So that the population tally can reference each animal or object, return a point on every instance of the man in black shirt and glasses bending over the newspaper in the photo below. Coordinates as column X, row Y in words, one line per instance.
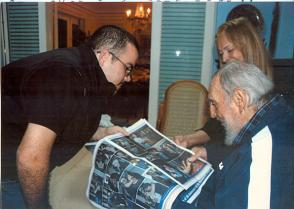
column 52, row 103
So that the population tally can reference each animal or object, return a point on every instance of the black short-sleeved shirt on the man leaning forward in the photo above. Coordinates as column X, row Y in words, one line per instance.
column 64, row 90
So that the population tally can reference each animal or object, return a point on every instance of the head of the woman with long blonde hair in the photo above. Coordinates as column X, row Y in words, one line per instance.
column 239, row 36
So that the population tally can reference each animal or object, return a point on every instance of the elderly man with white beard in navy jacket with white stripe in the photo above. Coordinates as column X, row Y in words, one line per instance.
column 259, row 172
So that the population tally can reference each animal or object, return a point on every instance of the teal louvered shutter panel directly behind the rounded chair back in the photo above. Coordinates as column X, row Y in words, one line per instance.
column 181, row 43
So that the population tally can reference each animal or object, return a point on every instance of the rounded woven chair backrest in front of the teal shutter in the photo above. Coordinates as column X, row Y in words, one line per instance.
column 184, row 108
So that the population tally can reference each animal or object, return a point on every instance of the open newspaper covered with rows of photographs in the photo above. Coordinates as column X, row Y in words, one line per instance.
column 143, row 170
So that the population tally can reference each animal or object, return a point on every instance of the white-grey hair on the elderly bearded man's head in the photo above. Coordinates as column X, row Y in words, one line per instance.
column 247, row 77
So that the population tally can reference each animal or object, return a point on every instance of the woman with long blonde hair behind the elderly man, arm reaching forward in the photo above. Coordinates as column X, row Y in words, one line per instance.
column 236, row 39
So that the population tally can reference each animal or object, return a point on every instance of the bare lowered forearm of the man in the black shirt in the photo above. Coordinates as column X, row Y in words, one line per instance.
column 33, row 158
